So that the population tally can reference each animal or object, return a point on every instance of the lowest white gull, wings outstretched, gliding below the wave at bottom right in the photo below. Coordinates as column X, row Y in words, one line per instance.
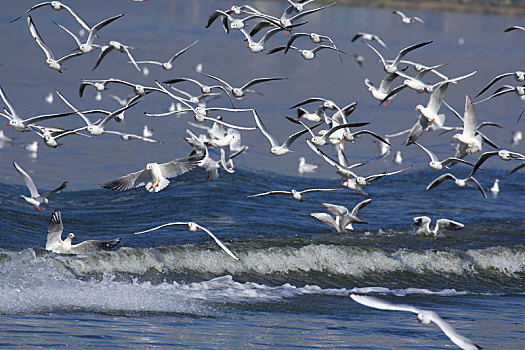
column 423, row 316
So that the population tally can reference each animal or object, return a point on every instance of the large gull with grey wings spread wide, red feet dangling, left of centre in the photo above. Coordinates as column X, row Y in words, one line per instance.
column 155, row 176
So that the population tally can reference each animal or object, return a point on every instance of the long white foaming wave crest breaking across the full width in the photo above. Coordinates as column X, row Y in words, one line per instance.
column 333, row 260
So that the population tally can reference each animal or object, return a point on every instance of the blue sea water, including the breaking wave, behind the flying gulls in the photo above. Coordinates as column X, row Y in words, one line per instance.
column 290, row 289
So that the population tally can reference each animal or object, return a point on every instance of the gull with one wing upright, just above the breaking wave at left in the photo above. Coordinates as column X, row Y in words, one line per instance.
column 55, row 243
